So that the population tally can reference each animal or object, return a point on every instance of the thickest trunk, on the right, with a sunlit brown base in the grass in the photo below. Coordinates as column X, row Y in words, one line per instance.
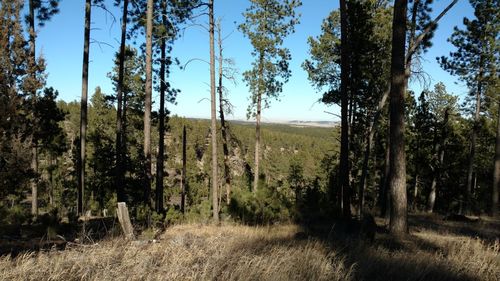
column 398, row 224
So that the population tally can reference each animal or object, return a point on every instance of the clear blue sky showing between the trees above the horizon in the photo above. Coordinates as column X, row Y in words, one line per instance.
column 61, row 42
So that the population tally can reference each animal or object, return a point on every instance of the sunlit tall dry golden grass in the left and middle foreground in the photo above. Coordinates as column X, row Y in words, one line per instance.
column 188, row 252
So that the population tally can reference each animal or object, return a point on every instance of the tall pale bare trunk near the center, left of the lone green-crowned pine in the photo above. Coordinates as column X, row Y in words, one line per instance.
column 213, row 111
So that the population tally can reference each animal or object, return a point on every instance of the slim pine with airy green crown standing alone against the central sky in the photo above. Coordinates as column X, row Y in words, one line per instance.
column 267, row 23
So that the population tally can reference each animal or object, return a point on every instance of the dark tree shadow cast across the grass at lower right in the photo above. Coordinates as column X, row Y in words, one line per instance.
column 385, row 258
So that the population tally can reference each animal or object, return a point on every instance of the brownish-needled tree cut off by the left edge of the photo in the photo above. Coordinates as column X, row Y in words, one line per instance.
column 14, row 146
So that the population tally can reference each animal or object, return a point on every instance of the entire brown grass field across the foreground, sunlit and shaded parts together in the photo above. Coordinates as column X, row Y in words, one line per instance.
column 435, row 250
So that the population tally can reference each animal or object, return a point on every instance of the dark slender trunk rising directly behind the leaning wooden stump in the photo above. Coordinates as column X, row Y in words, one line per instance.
column 120, row 174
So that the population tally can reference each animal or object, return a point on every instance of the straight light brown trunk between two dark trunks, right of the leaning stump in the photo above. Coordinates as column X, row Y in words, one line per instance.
column 147, row 104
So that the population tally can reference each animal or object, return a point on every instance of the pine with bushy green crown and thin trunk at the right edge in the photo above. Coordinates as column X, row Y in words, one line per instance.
column 475, row 61
